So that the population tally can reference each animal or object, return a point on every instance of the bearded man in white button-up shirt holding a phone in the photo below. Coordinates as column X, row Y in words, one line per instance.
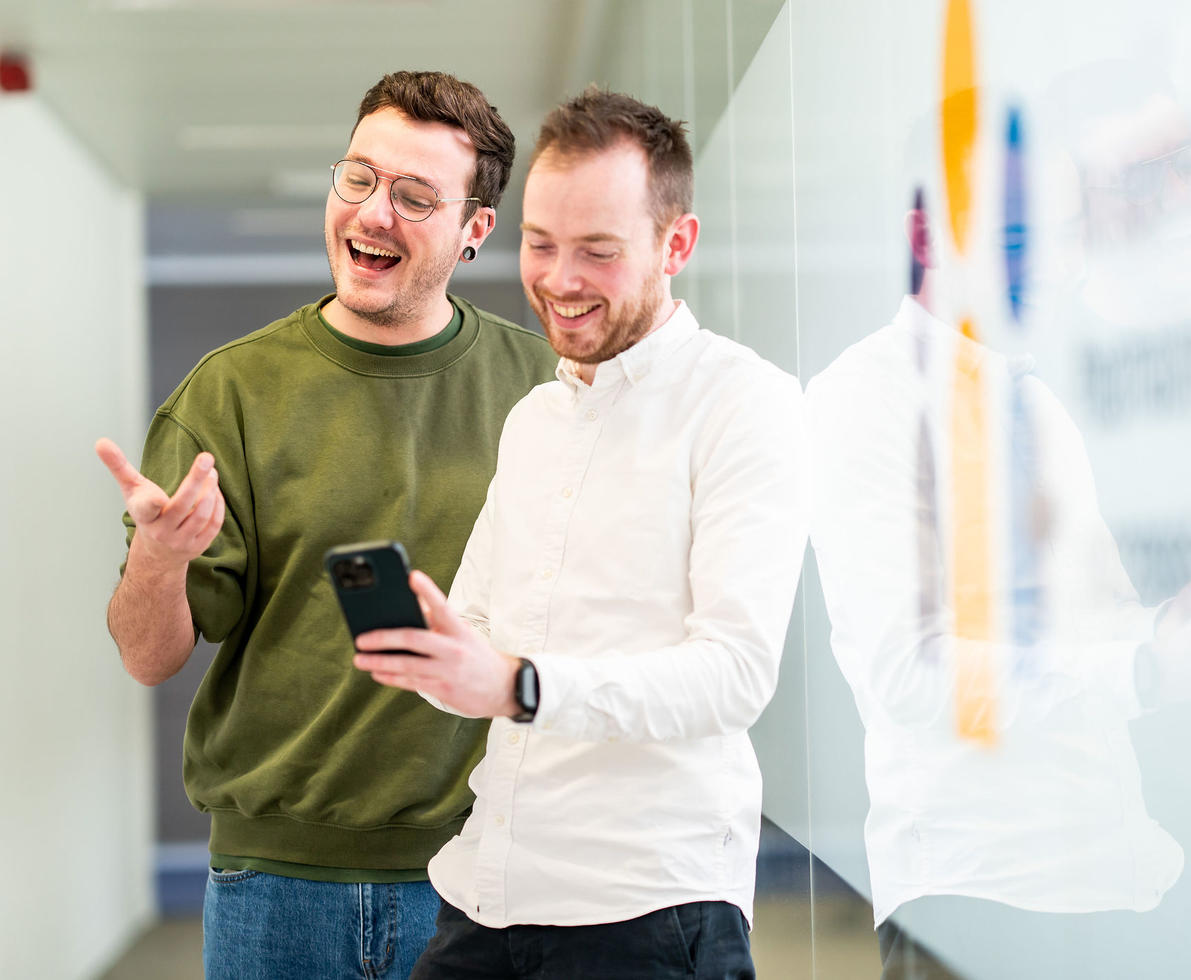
column 623, row 600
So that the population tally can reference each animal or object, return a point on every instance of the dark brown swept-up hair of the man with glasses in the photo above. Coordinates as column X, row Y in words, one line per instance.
column 435, row 97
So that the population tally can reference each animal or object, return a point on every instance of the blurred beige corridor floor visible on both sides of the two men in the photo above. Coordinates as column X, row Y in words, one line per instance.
column 844, row 948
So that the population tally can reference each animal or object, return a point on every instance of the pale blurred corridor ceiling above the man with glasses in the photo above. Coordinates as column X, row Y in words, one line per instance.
column 171, row 92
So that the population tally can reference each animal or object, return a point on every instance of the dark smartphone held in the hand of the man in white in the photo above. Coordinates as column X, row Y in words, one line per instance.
column 372, row 582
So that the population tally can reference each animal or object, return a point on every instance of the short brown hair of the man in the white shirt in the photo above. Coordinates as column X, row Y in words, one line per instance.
column 598, row 120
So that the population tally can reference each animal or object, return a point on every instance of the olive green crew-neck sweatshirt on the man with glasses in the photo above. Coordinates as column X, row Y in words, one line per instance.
column 298, row 757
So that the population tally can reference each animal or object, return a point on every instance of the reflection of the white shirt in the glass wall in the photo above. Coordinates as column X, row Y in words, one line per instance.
column 1050, row 816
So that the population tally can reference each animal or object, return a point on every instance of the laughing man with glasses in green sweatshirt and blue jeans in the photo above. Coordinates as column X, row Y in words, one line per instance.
column 372, row 414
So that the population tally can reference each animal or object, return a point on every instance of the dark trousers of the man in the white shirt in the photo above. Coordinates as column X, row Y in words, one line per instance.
column 699, row 941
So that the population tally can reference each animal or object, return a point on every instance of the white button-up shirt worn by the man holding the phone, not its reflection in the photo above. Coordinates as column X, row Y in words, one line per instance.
column 641, row 542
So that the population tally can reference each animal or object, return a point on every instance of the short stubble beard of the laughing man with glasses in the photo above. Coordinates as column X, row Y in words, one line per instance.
column 419, row 285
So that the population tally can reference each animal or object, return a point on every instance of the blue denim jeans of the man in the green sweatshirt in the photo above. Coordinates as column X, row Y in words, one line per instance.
column 264, row 927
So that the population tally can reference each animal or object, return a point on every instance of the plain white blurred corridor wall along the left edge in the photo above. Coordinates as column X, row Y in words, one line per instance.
column 77, row 820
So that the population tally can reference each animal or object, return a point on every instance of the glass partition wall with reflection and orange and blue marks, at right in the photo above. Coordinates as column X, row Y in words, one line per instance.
column 966, row 227
